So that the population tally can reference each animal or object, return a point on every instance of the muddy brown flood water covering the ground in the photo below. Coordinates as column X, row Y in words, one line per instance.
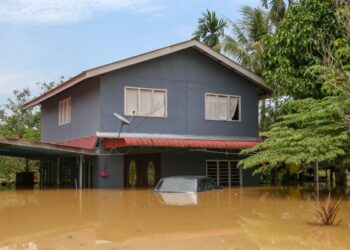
column 249, row 218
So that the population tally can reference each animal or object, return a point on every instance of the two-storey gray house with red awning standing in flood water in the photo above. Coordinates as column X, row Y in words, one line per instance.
column 180, row 110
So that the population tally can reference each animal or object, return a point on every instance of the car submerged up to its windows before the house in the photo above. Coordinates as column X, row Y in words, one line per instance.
column 186, row 184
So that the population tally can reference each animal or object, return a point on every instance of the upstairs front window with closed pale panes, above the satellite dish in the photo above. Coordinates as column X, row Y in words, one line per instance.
column 145, row 102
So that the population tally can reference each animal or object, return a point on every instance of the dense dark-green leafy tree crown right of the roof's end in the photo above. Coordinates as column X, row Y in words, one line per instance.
column 296, row 45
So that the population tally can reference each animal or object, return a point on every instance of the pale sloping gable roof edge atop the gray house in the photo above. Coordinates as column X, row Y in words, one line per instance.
column 225, row 61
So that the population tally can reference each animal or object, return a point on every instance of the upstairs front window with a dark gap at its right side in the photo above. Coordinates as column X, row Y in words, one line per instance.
column 222, row 107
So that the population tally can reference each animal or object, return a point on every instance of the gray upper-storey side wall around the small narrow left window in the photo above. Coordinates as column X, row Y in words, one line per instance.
column 85, row 119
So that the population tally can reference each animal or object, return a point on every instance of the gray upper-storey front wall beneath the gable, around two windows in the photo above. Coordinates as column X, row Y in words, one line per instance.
column 187, row 75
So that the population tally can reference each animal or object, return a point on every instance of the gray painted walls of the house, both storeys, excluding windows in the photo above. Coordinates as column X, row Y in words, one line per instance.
column 187, row 75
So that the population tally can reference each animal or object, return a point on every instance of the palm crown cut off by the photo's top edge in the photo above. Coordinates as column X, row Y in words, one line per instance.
column 277, row 8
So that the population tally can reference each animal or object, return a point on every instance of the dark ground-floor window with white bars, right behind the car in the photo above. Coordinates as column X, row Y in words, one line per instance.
column 225, row 172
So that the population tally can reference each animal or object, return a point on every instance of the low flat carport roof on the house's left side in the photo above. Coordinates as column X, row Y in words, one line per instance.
column 38, row 150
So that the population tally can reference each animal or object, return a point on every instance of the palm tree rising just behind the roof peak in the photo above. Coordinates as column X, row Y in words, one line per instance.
column 210, row 29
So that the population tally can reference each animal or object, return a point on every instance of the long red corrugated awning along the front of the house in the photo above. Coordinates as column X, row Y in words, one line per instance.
column 109, row 143
